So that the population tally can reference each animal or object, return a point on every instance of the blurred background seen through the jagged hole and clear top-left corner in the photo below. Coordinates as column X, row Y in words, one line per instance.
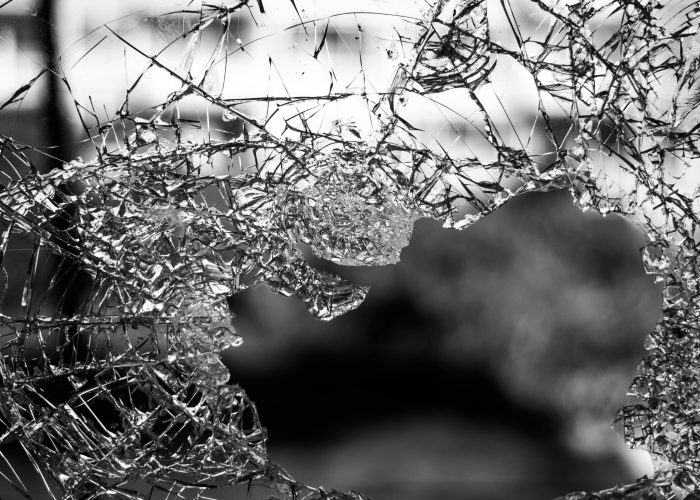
column 489, row 363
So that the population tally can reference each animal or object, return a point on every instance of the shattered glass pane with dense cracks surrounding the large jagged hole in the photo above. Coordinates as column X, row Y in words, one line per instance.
column 225, row 137
